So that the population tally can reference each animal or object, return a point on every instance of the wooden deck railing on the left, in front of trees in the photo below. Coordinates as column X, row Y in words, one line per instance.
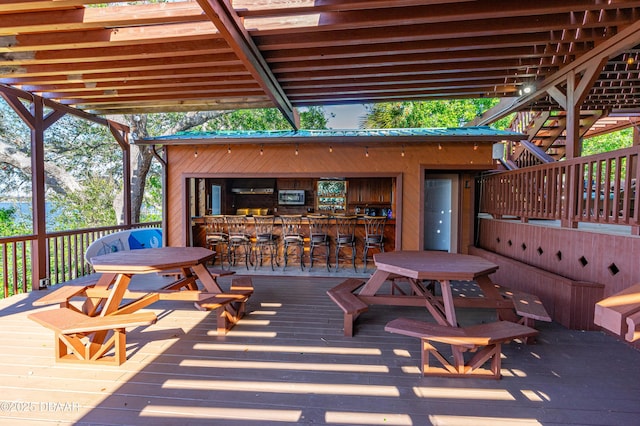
column 65, row 256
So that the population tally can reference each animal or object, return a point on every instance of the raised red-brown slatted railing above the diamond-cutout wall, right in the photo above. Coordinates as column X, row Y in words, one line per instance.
column 597, row 189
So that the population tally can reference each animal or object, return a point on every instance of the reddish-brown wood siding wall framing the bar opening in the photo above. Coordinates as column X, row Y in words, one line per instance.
column 315, row 160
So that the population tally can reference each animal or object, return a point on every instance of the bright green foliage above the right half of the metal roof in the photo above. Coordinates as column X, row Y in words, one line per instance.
column 442, row 113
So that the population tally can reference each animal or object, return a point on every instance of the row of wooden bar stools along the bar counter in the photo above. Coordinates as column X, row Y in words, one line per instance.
column 237, row 239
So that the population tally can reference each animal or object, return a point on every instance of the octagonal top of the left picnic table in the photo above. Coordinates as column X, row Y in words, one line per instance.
column 146, row 261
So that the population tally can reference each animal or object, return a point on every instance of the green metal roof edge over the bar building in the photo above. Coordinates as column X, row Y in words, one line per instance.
column 482, row 133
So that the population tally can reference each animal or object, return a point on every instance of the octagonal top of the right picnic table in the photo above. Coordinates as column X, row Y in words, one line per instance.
column 434, row 265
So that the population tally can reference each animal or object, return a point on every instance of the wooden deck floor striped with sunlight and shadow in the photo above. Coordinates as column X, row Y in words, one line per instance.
column 287, row 362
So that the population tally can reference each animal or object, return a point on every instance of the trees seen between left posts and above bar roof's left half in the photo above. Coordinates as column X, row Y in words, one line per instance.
column 82, row 160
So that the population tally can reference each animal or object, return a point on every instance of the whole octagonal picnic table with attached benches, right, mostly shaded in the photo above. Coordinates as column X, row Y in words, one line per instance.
column 422, row 269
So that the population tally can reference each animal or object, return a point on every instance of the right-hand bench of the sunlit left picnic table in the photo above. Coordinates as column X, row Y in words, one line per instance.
column 229, row 306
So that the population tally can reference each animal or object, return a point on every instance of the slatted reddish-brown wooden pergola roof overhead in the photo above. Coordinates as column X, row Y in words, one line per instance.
column 208, row 54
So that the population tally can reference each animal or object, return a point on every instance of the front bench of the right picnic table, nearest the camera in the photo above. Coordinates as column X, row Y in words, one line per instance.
column 484, row 340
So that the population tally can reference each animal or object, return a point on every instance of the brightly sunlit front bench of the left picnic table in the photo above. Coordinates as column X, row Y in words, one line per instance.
column 82, row 338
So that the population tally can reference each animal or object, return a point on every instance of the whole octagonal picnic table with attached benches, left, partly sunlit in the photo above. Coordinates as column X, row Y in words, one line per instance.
column 89, row 331
